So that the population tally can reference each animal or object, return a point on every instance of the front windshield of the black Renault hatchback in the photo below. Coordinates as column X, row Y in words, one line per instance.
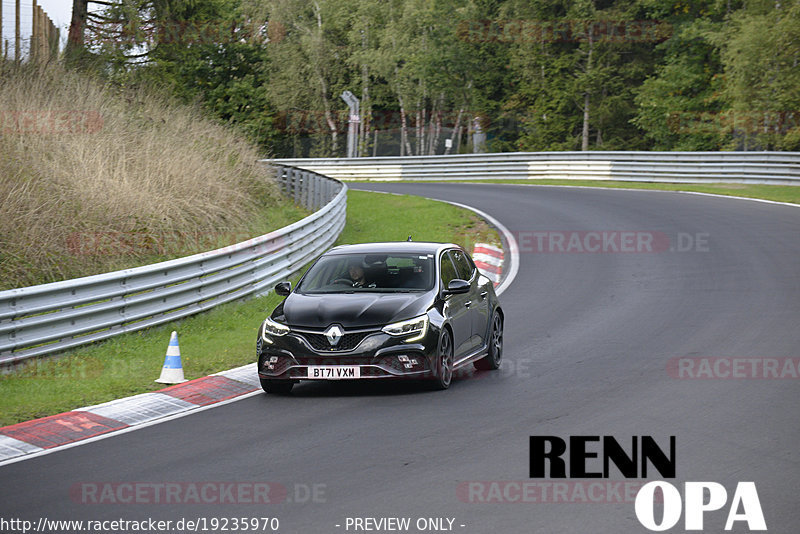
column 346, row 273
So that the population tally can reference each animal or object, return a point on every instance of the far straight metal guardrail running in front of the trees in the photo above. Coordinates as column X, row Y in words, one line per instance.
column 681, row 167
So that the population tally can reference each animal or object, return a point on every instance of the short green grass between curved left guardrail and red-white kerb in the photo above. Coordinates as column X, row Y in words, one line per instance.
column 222, row 338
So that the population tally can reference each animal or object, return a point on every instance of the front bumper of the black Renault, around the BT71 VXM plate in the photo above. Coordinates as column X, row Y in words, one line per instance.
column 377, row 354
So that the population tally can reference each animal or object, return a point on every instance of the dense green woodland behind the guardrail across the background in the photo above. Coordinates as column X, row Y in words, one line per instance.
column 535, row 74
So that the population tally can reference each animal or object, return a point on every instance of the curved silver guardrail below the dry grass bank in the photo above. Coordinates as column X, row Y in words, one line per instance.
column 48, row 318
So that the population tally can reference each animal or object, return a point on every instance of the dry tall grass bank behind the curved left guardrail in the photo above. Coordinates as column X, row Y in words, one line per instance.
column 94, row 179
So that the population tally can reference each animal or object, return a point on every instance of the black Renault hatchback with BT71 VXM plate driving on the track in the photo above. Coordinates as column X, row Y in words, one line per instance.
column 382, row 311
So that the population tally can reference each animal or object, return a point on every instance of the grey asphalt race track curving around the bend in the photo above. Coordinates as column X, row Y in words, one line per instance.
column 589, row 341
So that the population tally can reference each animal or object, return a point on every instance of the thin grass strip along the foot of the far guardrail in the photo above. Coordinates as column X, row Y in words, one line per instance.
column 777, row 193
